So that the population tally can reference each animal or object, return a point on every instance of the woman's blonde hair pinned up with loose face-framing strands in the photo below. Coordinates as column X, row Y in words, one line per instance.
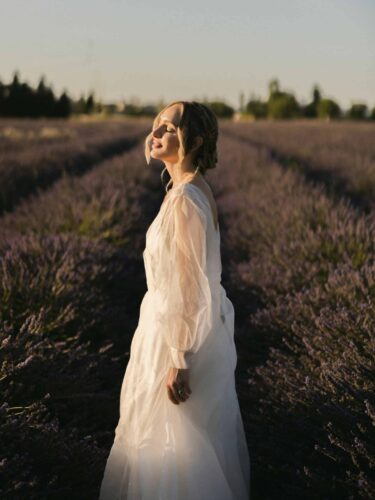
column 196, row 119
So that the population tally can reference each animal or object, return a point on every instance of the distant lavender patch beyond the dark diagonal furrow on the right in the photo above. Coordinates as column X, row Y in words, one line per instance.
column 339, row 156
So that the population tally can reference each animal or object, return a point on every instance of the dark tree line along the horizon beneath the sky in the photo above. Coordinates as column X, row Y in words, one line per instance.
column 21, row 100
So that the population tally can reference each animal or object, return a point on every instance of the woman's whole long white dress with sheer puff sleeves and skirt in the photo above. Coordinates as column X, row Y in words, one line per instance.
column 195, row 450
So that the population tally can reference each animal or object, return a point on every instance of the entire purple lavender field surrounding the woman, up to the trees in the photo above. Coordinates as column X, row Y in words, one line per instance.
column 297, row 220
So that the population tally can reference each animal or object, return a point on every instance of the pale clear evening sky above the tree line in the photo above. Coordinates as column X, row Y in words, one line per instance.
column 198, row 49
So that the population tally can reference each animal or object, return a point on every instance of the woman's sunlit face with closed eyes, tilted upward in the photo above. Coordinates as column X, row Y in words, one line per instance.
column 165, row 142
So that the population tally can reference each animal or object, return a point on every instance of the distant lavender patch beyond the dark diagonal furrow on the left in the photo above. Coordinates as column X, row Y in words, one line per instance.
column 36, row 163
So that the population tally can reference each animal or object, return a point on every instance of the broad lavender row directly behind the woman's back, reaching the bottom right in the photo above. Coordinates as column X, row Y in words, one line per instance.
column 300, row 269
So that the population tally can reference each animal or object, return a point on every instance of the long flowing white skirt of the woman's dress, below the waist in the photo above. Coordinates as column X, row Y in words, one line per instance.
column 195, row 450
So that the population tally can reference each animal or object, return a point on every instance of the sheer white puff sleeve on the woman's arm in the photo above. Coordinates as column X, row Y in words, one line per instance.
column 184, row 307
